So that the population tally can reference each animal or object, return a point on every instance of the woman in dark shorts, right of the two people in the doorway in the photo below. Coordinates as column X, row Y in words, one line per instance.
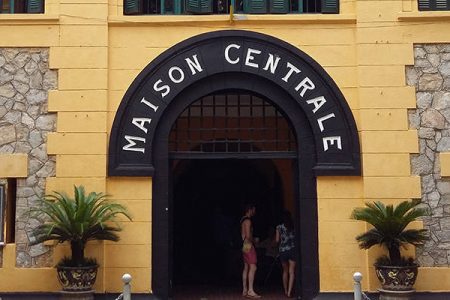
column 285, row 236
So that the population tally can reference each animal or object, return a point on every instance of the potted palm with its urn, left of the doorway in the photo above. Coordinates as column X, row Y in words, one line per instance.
column 84, row 218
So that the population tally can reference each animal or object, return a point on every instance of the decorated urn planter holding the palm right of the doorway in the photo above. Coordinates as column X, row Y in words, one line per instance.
column 397, row 278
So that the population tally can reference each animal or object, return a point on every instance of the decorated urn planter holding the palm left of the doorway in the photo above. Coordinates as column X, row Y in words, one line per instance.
column 77, row 279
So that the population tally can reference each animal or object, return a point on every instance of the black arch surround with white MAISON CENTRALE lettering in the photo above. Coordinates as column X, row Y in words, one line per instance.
column 325, row 131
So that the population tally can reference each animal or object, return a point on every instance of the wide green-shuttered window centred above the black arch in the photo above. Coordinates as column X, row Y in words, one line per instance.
column 176, row 7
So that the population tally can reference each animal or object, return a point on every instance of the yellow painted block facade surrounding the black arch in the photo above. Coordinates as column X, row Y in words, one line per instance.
column 98, row 52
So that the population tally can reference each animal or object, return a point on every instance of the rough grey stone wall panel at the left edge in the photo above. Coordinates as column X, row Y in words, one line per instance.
column 25, row 79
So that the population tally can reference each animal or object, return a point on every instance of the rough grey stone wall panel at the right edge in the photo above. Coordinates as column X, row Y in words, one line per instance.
column 431, row 77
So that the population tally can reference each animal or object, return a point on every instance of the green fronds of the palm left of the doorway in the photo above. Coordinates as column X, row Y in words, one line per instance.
column 77, row 220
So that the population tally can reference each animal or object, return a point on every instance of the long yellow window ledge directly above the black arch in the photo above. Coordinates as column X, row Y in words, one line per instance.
column 237, row 18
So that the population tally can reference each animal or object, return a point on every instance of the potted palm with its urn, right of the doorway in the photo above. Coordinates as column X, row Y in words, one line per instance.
column 395, row 272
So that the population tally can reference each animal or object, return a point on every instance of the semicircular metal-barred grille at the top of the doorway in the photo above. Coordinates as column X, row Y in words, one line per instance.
column 231, row 123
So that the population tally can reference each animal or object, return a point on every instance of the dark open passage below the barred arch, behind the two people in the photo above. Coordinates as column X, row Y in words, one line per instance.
column 208, row 200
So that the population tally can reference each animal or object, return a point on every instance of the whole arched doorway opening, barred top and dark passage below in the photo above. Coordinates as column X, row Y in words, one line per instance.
column 227, row 149
